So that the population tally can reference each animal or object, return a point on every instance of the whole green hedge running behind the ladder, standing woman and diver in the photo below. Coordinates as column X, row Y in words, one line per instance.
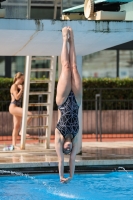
column 116, row 93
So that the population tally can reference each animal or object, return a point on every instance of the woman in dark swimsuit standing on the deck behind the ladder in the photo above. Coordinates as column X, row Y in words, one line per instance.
column 15, row 109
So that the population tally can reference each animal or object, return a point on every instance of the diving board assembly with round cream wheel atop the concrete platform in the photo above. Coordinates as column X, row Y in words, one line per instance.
column 97, row 10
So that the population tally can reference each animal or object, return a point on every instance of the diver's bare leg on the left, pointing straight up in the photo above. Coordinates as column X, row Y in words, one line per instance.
column 64, row 83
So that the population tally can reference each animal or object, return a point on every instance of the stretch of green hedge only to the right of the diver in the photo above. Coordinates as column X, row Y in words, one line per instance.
column 115, row 93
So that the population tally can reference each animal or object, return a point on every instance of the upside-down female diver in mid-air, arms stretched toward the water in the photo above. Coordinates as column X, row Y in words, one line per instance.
column 68, row 99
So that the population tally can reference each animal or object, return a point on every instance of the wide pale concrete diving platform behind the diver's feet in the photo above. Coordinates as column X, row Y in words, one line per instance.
column 22, row 37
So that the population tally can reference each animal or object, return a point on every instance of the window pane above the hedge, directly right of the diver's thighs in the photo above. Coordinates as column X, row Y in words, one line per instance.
column 99, row 65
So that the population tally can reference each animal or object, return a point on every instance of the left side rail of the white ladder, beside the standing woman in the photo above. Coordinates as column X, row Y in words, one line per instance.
column 25, row 100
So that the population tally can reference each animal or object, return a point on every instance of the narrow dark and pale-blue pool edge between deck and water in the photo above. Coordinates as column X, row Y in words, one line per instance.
column 81, row 166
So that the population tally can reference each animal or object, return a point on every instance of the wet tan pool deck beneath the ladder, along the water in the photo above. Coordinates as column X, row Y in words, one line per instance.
column 94, row 155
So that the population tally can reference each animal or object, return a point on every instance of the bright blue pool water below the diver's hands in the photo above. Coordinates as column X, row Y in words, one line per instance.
column 112, row 186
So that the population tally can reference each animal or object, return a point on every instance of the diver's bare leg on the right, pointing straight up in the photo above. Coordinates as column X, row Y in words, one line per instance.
column 76, row 80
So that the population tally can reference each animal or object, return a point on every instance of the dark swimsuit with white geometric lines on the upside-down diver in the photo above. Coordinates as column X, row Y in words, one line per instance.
column 69, row 123
